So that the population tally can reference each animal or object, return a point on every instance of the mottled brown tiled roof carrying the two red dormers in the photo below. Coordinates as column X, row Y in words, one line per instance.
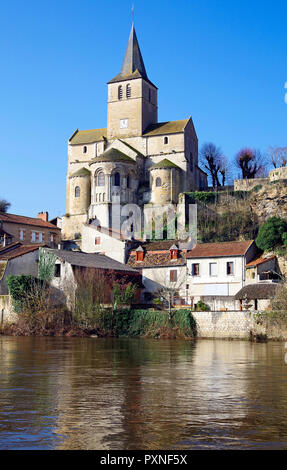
column 156, row 259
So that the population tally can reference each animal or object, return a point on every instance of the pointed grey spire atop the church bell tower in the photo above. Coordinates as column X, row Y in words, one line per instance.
column 133, row 63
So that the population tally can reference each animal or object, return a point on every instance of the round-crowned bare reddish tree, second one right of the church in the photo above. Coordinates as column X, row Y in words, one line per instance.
column 251, row 163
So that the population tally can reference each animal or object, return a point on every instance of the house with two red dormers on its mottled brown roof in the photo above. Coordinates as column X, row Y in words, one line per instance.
column 163, row 267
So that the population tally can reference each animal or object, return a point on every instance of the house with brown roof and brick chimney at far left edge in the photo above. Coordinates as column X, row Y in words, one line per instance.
column 28, row 230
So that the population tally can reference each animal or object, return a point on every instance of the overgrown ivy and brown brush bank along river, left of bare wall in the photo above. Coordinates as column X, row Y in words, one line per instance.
column 106, row 322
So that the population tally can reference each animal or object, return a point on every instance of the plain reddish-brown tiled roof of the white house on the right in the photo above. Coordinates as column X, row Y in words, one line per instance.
column 213, row 250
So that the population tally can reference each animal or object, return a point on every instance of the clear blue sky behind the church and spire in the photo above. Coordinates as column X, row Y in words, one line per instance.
column 222, row 62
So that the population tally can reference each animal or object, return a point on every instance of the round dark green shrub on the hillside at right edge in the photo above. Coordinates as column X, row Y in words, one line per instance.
column 270, row 234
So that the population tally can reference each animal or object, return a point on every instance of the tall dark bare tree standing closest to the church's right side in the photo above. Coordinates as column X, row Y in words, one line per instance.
column 214, row 162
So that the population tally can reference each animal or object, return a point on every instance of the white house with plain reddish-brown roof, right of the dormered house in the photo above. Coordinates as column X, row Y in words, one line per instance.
column 217, row 271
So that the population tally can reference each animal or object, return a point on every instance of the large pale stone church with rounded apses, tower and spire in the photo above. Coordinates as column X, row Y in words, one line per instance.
column 135, row 159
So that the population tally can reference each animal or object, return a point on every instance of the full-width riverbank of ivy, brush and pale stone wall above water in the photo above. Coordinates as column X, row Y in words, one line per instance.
column 182, row 324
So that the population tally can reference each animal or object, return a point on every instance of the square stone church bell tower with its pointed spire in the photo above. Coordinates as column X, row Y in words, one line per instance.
column 132, row 97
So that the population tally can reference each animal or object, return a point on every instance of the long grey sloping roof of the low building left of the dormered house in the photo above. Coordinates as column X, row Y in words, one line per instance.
column 90, row 260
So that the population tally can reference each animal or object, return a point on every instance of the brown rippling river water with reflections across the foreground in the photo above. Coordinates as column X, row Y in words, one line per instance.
column 88, row 393
